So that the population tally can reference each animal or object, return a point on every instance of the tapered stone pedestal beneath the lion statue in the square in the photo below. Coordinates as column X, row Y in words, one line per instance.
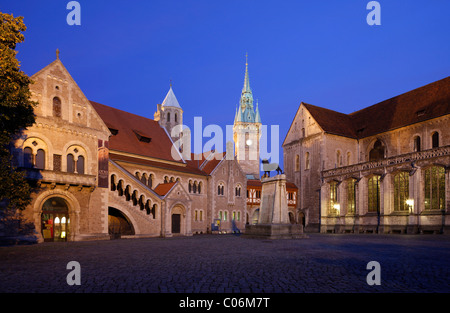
column 273, row 222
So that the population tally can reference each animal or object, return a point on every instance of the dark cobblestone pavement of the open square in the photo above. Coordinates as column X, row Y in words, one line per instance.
column 228, row 263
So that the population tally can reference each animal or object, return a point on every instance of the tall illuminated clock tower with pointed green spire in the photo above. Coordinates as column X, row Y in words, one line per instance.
column 247, row 131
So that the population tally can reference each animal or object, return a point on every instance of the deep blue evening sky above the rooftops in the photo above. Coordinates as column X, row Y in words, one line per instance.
column 322, row 52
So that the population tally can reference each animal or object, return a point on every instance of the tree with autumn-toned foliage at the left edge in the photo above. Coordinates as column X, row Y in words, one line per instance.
column 16, row 114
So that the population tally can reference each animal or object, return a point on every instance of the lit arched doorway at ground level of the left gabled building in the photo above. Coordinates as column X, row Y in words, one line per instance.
column 55, row 220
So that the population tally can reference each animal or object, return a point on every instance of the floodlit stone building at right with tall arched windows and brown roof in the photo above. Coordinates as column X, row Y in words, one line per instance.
column 383, row 169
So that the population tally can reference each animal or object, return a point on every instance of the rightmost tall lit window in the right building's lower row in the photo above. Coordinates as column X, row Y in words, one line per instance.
column 435, row 188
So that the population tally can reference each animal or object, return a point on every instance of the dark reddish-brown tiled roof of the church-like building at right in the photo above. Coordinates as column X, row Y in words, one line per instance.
column 421, row 104
